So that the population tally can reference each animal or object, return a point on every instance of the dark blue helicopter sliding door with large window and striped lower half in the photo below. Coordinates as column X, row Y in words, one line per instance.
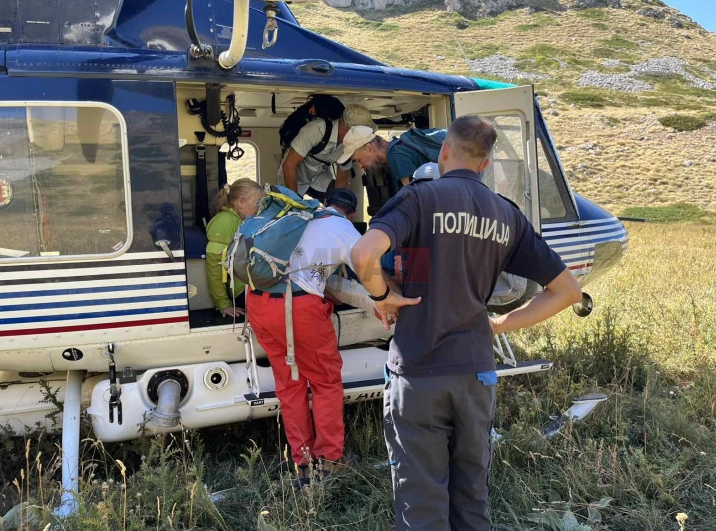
column 90, row 209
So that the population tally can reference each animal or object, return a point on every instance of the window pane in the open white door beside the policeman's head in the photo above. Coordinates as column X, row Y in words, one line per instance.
column 506, row 173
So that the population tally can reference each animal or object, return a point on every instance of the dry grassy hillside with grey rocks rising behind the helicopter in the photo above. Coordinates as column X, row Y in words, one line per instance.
column 636, row 159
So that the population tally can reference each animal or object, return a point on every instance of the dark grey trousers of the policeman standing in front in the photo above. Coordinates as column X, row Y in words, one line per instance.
column 437, row 429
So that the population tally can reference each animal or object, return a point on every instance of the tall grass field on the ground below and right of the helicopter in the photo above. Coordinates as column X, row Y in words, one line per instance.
column 650, row 345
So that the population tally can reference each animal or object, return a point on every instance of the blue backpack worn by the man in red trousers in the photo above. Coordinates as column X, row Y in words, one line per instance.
column 262, row 247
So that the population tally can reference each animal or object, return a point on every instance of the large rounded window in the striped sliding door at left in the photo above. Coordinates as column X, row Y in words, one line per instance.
column 62, row 181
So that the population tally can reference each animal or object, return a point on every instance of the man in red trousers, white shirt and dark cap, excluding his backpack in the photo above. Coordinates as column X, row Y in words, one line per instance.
column 325, row 244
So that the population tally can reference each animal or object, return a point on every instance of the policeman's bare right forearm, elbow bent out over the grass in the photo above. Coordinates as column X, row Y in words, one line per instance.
column 559, row 294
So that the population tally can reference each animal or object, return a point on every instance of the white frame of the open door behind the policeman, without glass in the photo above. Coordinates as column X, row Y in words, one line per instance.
column 519, row 102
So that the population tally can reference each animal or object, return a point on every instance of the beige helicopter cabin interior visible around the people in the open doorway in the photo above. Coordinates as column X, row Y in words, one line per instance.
column 261, row 113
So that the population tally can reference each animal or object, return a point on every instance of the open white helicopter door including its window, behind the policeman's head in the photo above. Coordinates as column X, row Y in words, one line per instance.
column 513, row 172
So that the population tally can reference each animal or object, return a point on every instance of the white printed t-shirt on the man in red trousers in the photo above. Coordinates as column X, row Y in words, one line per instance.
column 325, row 244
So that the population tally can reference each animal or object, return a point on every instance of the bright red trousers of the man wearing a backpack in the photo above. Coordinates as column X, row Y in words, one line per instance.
column 319, row 365
